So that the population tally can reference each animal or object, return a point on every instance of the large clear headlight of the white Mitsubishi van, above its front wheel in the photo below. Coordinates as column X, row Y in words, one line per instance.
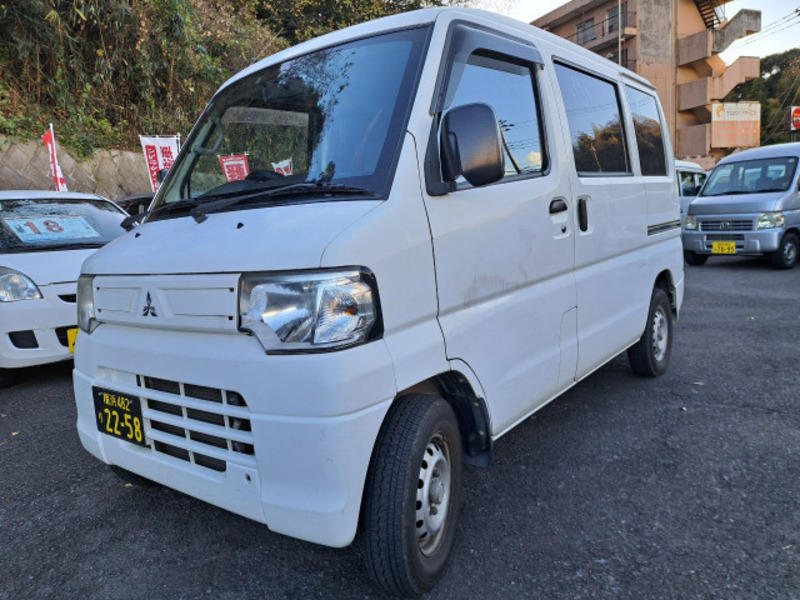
column 309, row 311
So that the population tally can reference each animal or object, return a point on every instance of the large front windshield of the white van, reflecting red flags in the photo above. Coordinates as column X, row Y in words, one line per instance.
column 329, row 121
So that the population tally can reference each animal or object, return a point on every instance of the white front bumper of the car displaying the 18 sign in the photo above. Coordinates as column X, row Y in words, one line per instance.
column 34, row 332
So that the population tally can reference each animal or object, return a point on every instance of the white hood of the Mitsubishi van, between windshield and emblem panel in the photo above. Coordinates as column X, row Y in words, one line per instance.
column 286, row 237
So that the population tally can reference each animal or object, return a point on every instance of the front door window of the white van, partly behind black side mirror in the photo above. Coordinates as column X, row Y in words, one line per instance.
column 509, row 89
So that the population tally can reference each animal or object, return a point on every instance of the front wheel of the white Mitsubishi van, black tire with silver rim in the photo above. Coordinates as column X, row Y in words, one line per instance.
column 412, row 496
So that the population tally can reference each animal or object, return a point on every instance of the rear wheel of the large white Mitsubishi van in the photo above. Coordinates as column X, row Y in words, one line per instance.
column 649, row 357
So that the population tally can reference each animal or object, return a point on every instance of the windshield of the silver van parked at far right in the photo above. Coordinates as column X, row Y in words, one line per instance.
column 752, row 177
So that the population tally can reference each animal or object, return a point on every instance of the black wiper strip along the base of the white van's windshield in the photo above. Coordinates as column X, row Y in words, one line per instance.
column 201, row 206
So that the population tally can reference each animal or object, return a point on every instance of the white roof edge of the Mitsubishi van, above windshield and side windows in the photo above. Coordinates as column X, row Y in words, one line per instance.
column 430, row 15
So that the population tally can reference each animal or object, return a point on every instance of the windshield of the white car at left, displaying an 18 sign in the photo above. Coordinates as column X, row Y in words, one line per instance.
column 35, row 224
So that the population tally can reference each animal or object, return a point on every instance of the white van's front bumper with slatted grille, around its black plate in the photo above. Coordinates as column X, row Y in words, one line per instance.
column 313, row 421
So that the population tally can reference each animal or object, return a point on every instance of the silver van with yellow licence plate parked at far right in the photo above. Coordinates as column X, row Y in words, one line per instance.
column 750, row 205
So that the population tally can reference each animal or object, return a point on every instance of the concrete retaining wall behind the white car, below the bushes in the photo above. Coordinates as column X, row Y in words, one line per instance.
column 111, row 173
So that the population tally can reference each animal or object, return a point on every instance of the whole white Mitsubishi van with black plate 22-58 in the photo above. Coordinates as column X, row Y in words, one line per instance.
column 378, row 252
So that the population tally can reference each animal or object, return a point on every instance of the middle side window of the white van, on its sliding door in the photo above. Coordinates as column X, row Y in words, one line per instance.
column 595, row 123
